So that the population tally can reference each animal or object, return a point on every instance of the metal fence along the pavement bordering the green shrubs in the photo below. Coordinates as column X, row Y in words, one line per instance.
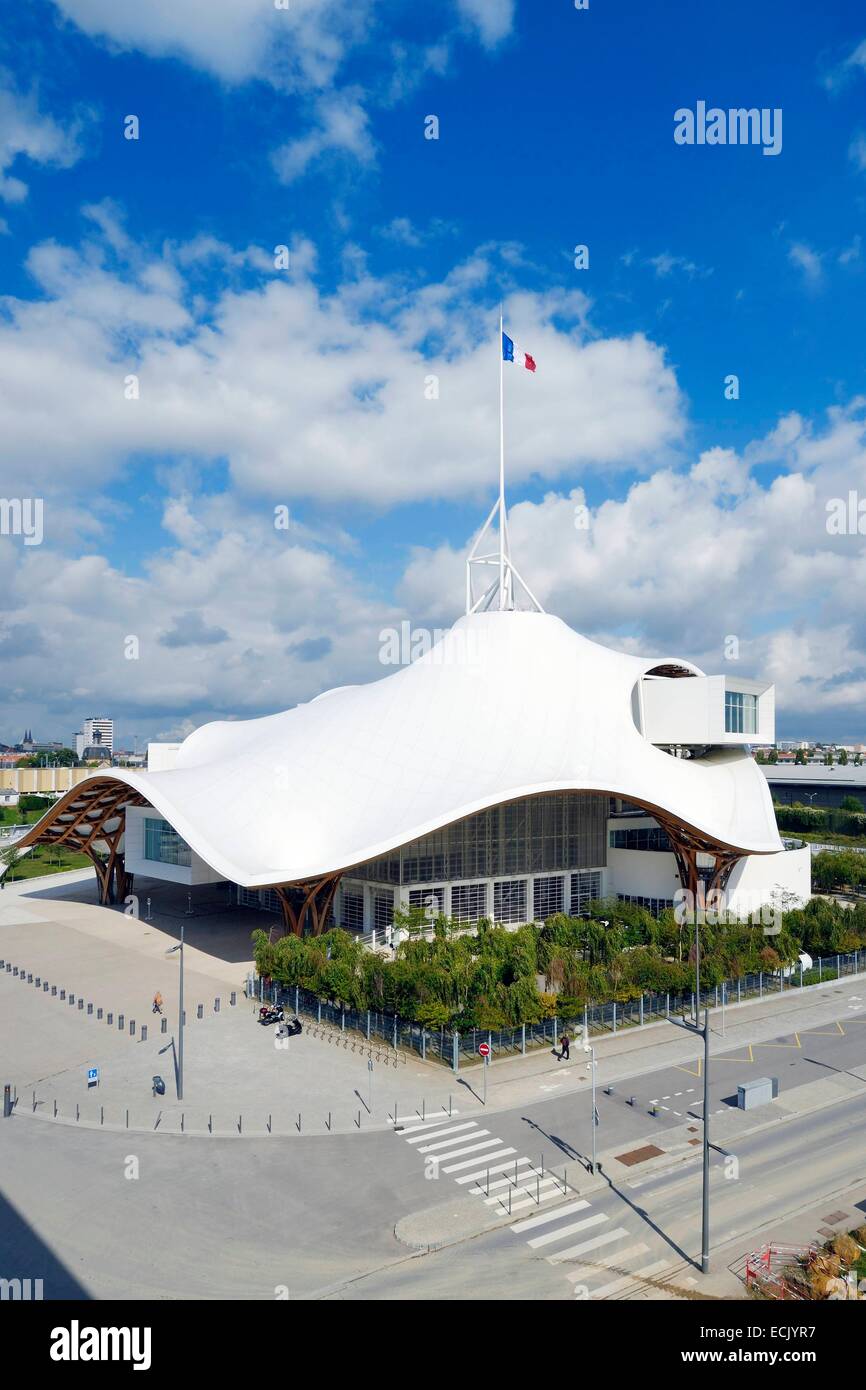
column 455, row 1049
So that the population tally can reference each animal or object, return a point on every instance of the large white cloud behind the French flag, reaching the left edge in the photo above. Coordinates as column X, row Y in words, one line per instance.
column 315, row 394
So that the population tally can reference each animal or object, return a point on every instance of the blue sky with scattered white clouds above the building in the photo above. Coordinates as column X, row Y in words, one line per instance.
column 305, row 389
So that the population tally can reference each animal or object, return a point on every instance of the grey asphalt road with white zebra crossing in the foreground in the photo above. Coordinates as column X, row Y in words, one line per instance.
column 316, row 1217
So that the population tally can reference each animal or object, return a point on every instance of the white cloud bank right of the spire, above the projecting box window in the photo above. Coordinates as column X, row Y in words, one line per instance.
column 689, row 558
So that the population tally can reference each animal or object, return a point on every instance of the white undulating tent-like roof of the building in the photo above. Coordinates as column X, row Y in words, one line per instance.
column 507, row 705
